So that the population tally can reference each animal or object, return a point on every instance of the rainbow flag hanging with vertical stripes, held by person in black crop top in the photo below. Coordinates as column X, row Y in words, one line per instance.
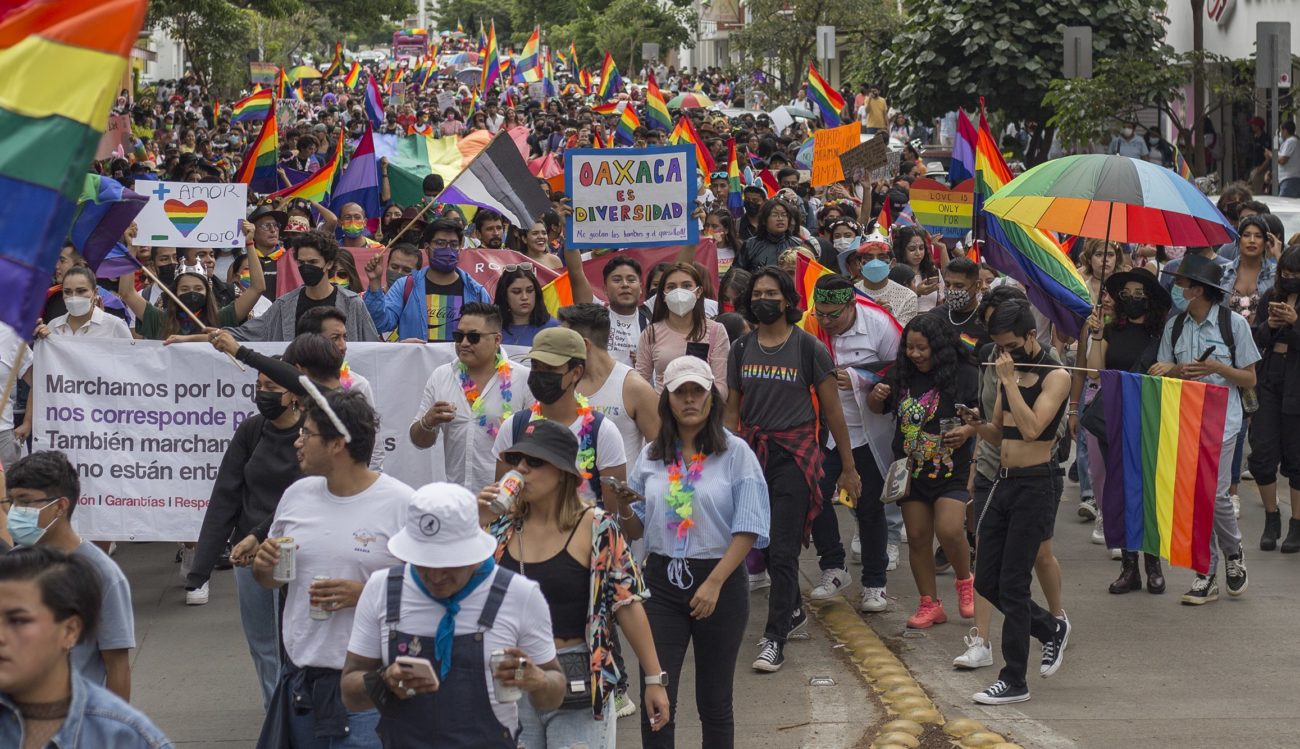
column 1163, row 462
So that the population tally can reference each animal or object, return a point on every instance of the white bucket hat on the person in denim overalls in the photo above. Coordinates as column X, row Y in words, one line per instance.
column 443, row 530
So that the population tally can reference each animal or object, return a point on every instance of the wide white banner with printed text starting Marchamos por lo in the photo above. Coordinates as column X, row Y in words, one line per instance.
column 148, row 426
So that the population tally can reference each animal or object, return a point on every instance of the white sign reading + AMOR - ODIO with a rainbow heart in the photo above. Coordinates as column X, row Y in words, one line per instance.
column 193, row 215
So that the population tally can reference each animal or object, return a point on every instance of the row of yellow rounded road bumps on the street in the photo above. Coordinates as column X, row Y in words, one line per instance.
column 900, row 692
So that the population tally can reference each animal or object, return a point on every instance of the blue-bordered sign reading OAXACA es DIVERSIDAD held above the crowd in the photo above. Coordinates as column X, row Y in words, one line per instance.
column 631, row 197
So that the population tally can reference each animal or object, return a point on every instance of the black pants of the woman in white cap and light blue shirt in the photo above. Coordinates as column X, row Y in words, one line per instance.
column 717, row 646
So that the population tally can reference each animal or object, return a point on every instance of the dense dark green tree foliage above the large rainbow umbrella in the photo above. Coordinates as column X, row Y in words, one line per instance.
column 952, row 54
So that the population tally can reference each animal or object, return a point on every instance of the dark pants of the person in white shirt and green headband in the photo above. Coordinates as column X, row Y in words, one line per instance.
column 873, row 527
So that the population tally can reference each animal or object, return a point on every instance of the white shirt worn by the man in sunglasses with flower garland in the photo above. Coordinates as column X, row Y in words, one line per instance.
column 469, row 449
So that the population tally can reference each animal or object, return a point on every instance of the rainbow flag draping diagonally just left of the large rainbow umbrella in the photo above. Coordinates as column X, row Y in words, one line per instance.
column 1033, row 257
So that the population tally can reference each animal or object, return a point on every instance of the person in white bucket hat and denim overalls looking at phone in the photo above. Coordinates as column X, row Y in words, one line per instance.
column 449, row 608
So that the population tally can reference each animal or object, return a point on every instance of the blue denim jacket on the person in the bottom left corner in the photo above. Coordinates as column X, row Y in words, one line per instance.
column 97, row 720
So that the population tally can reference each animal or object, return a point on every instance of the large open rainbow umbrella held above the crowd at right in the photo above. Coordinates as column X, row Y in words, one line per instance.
column 1113, row 198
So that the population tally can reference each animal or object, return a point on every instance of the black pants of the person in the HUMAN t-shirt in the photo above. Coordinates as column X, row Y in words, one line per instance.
column 788, row 493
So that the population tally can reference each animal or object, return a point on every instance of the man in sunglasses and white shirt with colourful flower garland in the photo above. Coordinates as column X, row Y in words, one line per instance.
column 469, row 431
